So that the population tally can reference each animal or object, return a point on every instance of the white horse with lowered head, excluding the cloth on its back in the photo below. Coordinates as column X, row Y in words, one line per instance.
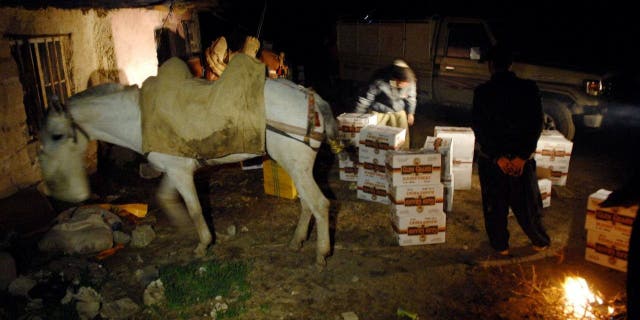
column 111, row 113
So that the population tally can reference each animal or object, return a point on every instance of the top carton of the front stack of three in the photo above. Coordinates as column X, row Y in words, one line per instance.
column 413, row 167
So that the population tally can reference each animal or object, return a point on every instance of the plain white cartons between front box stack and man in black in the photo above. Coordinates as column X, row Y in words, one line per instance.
column 462, row 155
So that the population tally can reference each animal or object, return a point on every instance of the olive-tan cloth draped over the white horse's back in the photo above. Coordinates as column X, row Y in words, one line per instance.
column 195, row 118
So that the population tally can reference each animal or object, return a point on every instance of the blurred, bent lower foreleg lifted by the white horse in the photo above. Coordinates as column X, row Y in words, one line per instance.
column 171, row 203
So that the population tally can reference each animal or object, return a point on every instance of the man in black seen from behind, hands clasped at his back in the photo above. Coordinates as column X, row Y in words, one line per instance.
column 507, row 122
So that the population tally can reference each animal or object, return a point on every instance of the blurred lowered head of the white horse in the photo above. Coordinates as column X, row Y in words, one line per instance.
column 62, row 155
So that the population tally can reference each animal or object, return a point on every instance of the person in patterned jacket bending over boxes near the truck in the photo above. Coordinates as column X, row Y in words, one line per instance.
column 392, row 97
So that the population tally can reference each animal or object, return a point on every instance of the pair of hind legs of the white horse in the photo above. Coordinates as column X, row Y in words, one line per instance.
column 298, row 159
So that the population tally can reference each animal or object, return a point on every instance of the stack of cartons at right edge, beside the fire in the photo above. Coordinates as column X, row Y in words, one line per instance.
column 608, row 232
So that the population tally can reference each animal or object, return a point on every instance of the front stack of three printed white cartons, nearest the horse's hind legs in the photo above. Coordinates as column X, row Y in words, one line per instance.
column 416, row 196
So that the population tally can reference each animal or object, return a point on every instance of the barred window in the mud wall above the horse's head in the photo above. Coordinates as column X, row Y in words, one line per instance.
column 42, row 62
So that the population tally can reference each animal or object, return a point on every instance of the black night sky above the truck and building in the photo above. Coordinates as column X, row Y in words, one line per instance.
column 598, row 36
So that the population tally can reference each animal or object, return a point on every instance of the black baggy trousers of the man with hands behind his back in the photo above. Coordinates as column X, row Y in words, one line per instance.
column 501, row 191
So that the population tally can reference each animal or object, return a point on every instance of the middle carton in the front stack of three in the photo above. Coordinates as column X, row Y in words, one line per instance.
column 416, row 199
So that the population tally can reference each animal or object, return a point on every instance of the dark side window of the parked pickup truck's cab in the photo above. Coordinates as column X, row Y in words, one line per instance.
column 463, row 36
